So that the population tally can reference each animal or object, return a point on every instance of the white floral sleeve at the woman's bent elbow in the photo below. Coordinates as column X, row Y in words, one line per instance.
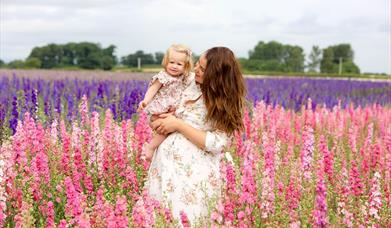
column 215, row 141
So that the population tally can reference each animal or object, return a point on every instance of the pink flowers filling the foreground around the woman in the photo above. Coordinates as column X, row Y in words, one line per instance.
column 317, row 167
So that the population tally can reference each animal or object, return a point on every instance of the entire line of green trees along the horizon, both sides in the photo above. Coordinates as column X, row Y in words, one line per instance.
column 270, row 56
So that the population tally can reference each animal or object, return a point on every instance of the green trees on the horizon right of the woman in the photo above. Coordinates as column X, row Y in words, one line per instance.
column 277, row 57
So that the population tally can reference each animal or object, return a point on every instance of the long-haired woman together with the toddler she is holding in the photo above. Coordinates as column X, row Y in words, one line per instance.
column 185, row 153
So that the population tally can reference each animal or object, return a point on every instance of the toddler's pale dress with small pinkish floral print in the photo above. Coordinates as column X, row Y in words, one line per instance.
column 168, row 96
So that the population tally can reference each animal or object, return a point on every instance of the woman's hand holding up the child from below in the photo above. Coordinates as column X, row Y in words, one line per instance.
column 166, row 124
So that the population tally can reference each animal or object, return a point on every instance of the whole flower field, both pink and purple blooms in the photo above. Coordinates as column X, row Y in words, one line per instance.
column 70, row 156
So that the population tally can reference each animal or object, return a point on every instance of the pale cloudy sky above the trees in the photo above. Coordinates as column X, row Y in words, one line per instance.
column 153, row 25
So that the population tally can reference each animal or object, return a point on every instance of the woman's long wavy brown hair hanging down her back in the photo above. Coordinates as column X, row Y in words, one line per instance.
column 224, row 90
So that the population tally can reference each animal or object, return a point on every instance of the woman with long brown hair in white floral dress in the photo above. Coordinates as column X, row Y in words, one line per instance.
column 184, row 172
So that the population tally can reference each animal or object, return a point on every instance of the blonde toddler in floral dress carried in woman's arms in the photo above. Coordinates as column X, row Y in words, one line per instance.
column 165, row 89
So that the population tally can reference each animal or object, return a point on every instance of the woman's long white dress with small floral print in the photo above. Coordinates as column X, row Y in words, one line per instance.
column 183, row 176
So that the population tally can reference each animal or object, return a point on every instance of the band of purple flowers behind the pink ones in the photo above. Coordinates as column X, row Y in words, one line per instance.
column 47, row 100
